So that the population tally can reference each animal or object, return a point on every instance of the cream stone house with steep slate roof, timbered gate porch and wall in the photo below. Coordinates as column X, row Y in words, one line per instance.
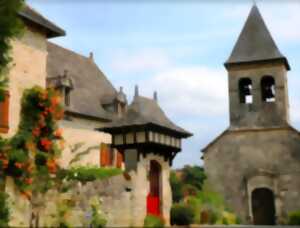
column 91, row 103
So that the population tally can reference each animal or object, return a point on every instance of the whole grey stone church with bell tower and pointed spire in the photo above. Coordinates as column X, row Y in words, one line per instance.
column 255, row 163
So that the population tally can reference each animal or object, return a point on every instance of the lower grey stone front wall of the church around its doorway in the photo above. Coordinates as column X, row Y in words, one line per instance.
column 242, row 161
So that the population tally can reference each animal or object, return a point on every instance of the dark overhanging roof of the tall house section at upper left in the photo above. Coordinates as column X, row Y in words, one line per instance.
column 33, row 16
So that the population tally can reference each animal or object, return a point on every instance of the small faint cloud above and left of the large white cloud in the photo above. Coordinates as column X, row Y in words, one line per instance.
column 140, row 61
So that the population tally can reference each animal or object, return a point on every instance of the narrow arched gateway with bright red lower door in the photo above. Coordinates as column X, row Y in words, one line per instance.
column 155, row 189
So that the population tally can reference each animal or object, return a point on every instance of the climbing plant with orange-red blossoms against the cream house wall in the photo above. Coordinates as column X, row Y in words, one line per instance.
column 30, row 157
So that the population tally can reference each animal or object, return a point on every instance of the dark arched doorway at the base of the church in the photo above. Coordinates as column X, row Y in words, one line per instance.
column 263, row 206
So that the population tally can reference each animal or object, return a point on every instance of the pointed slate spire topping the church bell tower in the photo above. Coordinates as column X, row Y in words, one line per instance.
column 255, row 43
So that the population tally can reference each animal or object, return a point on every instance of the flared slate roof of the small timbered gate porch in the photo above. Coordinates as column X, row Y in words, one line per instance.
column 145, row 111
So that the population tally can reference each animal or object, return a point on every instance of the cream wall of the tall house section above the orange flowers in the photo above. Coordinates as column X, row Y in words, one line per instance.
column 28, row 69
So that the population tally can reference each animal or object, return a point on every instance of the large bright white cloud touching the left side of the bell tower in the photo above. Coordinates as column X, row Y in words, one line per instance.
column 190, row 91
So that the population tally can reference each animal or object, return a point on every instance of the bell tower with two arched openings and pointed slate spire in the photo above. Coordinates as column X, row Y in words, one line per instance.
column 257, row 76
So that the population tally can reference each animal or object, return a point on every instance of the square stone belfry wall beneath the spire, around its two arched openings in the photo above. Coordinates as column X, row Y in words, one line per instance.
column 259, row 113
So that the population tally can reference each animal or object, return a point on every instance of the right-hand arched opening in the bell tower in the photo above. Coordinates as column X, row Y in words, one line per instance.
column 268, row 89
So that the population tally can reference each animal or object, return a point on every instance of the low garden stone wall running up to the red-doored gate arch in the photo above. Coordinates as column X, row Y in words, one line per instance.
column 121, row 200
